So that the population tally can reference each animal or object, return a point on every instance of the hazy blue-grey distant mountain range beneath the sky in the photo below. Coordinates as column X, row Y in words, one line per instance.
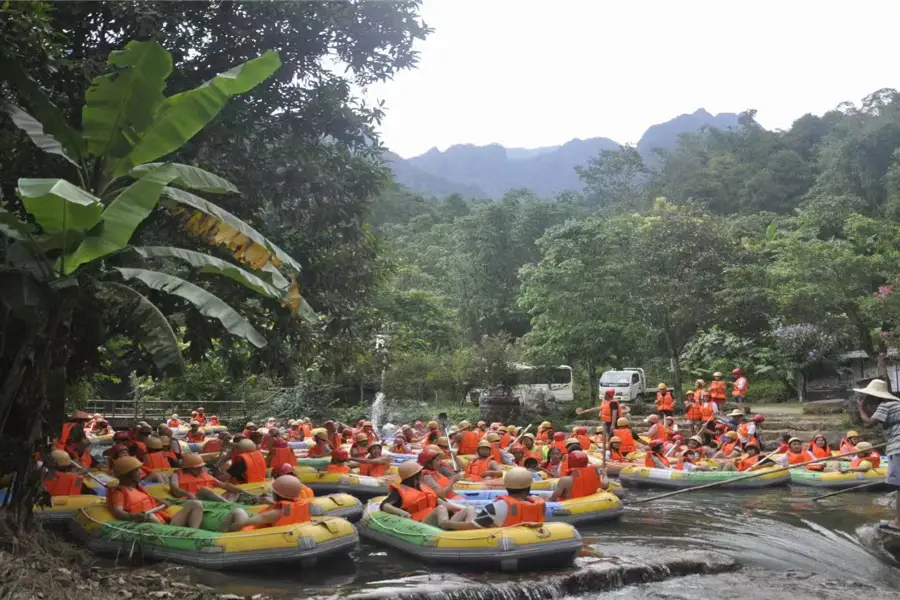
column 490, row 171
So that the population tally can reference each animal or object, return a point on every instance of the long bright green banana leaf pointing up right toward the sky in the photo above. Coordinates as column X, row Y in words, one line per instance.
column 181, row 116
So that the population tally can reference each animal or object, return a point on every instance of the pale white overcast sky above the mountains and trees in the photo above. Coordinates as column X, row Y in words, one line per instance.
column 530, row 73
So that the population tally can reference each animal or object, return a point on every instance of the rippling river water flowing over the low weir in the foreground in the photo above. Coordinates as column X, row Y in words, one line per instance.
column 774, row 544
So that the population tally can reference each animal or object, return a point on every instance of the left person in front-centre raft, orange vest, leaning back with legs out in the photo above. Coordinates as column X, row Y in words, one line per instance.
column 414, row 500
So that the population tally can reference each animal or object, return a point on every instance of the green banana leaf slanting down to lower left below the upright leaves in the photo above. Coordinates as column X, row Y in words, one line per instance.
column 122, row 217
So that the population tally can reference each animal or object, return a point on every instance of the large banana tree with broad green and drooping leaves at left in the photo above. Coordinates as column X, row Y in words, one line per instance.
column 75, row 247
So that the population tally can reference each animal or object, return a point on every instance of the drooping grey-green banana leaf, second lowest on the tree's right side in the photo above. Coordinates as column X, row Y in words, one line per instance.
column 208, row 304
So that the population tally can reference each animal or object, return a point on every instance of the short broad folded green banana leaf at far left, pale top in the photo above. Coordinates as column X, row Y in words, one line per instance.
column 59, row 206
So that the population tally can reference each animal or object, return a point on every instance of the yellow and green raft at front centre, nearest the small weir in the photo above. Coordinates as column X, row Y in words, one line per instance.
column 507, row 548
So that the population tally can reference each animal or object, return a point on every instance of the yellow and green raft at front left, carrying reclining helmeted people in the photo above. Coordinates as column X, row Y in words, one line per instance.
column 303, row 544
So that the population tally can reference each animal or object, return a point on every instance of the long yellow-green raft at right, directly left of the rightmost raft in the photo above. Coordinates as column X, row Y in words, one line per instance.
column 673, row 479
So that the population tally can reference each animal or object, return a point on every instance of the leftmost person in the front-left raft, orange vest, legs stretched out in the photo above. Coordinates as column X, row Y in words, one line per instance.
column 128, row 501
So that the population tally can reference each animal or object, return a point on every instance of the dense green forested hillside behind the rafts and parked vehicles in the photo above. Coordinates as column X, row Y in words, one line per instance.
column 773, row 251
